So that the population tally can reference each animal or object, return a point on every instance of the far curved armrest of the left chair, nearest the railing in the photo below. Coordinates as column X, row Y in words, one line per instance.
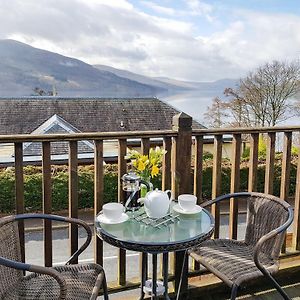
column 66, row 220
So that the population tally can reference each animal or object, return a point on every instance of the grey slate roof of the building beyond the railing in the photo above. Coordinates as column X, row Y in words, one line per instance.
column 24, row 115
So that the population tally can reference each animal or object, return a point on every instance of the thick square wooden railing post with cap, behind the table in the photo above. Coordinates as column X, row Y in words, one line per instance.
column 181, row 180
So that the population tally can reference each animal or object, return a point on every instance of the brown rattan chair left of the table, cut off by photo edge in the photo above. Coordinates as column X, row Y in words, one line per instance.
column 72, row 281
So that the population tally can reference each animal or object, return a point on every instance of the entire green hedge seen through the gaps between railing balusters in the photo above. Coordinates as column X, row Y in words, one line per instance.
column 33, row 185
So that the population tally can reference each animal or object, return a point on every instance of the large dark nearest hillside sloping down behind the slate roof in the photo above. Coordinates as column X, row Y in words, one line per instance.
column 22, row 68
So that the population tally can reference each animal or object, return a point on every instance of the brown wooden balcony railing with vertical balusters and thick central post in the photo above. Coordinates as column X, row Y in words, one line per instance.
column 182, row 143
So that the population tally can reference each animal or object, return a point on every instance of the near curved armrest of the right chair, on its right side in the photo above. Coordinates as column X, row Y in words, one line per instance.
column 270, row 235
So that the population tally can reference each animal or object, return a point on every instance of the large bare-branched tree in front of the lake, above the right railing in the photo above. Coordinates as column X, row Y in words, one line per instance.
column 262, row 98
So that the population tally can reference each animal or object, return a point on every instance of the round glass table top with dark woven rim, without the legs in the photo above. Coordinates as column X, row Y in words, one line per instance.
column 183, row 232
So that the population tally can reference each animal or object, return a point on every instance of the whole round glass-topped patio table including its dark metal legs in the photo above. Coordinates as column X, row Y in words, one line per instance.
column 175, row 232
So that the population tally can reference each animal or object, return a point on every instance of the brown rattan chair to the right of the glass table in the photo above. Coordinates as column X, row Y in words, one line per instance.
column 236, row 262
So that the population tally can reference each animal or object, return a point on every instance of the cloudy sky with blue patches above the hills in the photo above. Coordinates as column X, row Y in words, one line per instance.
column 190, row 40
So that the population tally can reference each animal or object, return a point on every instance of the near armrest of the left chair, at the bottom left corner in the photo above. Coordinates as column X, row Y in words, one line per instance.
column 40, row 270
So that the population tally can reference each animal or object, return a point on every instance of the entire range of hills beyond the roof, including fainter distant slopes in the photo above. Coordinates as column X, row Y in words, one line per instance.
column 24, row 68
